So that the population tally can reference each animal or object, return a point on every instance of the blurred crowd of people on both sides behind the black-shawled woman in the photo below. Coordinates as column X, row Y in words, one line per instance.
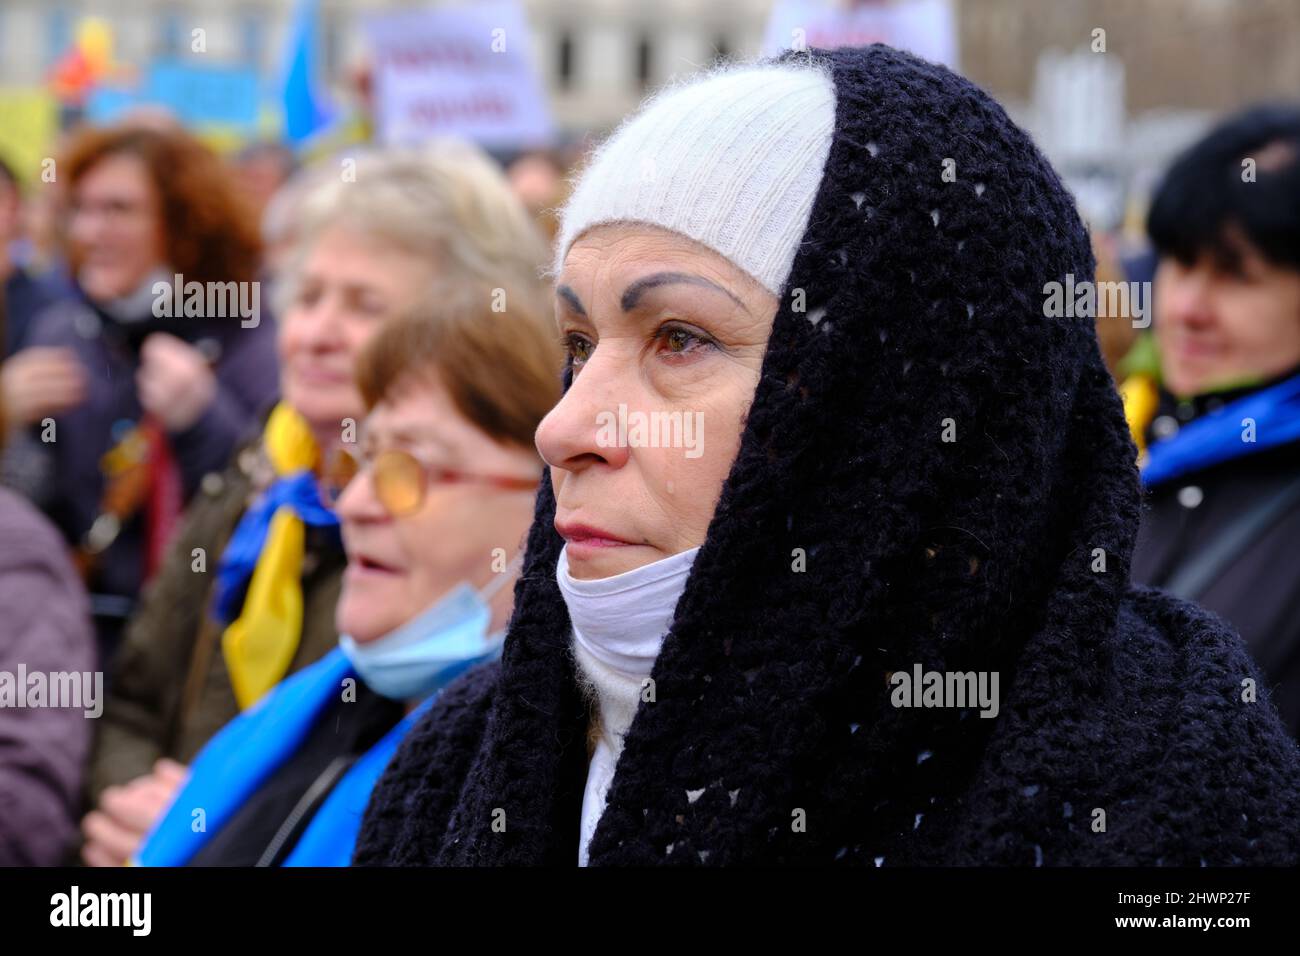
column 184, row 509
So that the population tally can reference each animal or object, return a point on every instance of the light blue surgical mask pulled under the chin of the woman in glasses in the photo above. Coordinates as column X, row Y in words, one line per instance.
column 432, row 648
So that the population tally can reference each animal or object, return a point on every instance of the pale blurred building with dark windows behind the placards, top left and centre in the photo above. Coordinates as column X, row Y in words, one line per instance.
column 599, row 58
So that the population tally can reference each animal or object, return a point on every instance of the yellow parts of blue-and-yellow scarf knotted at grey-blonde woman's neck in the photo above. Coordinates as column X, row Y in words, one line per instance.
column 261, row 644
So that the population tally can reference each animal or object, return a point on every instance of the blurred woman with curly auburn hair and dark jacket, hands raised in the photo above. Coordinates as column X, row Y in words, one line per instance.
column 131, row 401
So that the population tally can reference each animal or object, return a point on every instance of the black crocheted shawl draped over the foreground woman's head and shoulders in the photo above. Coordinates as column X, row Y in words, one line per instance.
column 1125, row 732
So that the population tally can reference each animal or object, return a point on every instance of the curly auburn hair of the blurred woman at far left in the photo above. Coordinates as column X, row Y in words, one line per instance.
column 210, row 232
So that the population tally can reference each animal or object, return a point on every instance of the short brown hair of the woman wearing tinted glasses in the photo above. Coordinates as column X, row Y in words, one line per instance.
column 495, row 351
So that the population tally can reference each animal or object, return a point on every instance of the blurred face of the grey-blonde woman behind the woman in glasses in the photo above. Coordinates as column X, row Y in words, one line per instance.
column 346, row 287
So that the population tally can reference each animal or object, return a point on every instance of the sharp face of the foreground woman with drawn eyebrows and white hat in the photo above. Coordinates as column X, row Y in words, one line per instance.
column 666, row 340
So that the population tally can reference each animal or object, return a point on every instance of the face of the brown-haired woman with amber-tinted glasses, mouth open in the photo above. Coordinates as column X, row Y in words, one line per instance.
column 400, row 566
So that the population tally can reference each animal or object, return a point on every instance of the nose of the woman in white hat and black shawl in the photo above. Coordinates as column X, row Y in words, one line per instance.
column 583, row 430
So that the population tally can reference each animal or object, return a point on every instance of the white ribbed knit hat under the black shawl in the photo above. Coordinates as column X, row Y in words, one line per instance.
column 733, row 161
